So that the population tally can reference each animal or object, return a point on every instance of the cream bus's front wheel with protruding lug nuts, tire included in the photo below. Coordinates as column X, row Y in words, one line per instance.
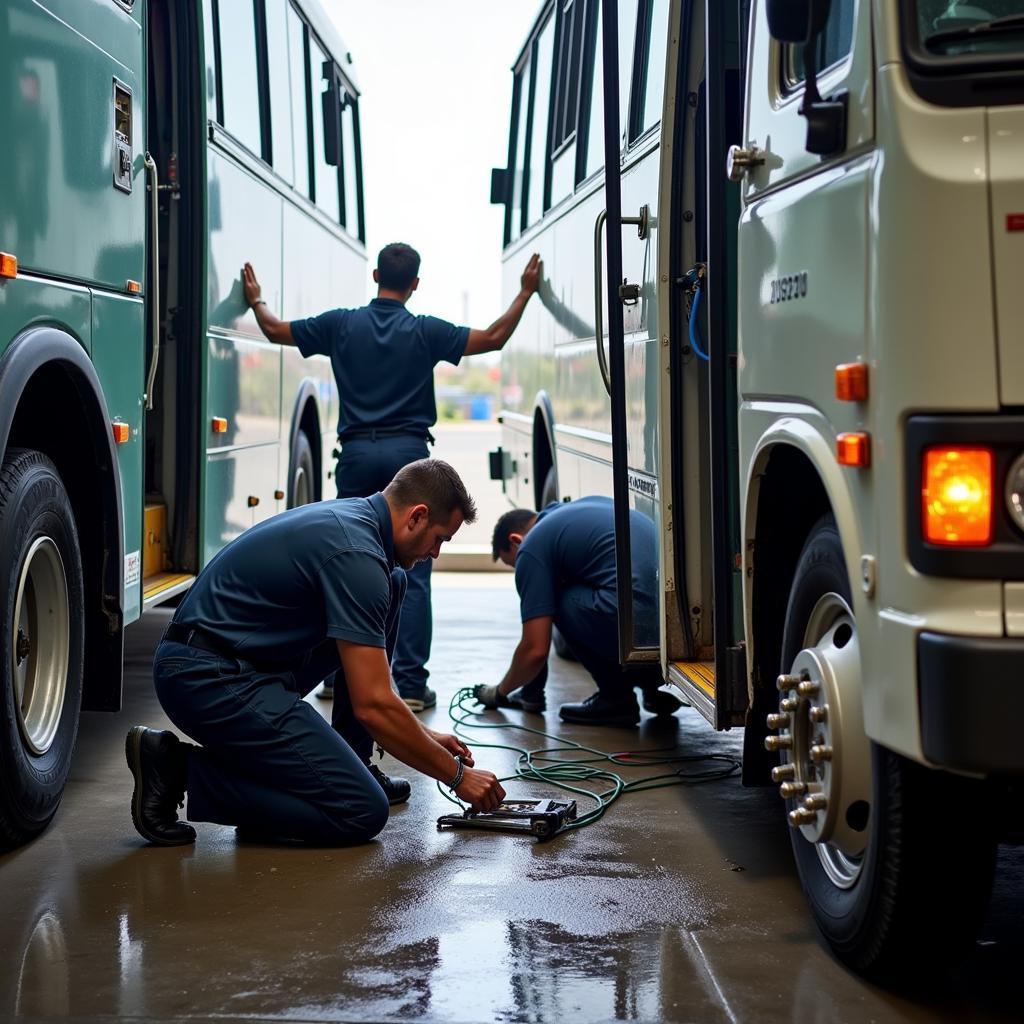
column 874, row 834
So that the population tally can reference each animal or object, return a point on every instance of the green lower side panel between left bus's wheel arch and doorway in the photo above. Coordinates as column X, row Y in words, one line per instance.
column 118, row 324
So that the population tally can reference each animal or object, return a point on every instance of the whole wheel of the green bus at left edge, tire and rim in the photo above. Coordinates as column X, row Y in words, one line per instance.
column 42, row 603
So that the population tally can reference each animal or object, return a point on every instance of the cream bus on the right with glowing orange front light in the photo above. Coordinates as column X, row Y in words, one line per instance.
column 780, row 317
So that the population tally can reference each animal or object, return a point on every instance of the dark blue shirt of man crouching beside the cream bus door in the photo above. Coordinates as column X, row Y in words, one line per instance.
column 574, row 544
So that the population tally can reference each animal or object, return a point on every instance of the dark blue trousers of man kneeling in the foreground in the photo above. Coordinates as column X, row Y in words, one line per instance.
column 269, row 761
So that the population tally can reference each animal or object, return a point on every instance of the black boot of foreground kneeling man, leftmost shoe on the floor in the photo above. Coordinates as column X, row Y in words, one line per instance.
column 157, row 760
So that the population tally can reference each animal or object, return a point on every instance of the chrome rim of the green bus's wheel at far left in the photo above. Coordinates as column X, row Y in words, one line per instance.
column 40, row 646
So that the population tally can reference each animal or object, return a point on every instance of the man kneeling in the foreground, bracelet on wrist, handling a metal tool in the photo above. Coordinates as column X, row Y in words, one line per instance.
column 314, row 590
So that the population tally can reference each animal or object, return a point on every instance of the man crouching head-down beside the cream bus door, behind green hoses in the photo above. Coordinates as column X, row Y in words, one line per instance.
column 565, row 561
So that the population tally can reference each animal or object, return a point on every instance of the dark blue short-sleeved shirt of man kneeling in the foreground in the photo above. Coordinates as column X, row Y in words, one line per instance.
column 322, row 572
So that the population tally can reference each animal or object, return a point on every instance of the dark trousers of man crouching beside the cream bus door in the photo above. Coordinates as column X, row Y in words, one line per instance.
column 588, row 621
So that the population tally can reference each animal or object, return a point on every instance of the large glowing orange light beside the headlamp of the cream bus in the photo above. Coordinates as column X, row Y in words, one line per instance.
column 957, row 497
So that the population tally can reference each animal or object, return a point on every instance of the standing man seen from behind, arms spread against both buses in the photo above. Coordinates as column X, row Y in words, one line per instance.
column 383, row 359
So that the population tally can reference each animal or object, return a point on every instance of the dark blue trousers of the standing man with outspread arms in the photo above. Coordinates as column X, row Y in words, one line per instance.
column 367, row 466
